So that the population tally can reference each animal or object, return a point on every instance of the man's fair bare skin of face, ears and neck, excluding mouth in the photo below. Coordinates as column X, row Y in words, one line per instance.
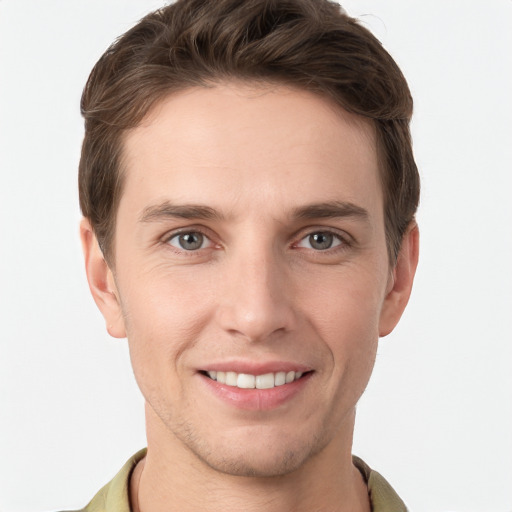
column 257, row 290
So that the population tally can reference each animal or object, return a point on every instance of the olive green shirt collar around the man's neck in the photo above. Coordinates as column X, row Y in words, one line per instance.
column 115, row 496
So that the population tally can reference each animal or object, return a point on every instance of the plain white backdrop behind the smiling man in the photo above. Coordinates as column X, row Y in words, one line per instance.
column 436, row 419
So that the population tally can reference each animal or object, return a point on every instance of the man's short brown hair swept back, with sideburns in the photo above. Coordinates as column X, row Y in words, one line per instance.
column 309, row 44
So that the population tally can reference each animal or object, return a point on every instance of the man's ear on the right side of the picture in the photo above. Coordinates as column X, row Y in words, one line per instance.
column 401, row 279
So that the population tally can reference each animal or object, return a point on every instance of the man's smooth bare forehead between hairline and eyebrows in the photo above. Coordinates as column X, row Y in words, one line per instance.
column 223, row 143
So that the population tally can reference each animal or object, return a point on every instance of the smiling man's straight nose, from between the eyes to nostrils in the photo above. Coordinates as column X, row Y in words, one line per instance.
column 255, row 295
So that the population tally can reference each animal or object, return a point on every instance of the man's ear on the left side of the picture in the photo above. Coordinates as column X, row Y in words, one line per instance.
column 101, row 282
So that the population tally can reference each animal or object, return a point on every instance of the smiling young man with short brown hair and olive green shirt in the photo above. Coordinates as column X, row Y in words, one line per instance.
column 249, row 190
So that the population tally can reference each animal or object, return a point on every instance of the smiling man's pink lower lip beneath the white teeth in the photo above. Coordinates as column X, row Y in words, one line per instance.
column 256, row 399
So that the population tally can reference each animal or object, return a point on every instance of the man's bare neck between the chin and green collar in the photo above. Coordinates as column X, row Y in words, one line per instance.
column 170, row 478
